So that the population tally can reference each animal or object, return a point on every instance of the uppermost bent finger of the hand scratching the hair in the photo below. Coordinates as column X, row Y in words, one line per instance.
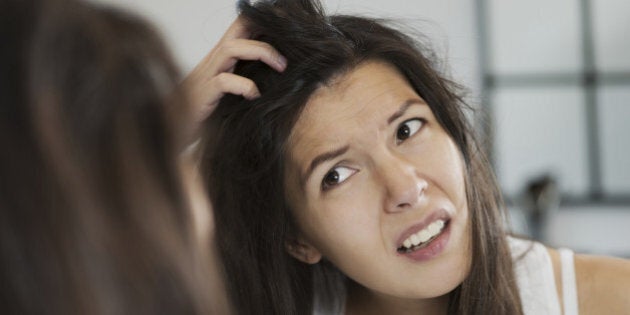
column 246, row 49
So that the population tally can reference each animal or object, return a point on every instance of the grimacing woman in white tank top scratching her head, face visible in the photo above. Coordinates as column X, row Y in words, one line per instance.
column 354, row 184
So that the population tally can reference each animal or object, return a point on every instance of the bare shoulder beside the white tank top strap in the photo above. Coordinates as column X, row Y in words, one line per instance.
column 603, row 284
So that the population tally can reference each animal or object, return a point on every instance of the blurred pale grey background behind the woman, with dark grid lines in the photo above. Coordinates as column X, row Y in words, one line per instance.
column 550, row 80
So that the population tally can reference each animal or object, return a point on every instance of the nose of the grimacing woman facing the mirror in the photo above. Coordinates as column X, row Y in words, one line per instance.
column 404, row 185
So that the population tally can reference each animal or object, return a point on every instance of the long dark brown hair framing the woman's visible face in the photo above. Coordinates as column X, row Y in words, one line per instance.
column 246, row 152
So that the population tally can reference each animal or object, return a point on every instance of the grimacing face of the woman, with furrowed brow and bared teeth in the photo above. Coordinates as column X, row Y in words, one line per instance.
column 377, row 186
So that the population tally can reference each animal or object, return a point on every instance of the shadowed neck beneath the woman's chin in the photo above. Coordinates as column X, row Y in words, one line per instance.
column 361, row 300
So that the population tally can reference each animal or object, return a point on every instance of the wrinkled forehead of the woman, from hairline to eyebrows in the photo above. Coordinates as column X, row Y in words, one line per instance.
column 352, row 111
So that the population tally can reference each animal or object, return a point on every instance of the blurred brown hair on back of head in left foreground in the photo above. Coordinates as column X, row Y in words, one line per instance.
column 93, row 219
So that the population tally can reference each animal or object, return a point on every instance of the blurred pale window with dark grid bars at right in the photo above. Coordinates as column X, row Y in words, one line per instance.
column 556, row 82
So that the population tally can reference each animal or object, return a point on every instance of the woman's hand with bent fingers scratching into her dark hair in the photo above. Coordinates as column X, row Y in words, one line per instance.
column 213, row 77
